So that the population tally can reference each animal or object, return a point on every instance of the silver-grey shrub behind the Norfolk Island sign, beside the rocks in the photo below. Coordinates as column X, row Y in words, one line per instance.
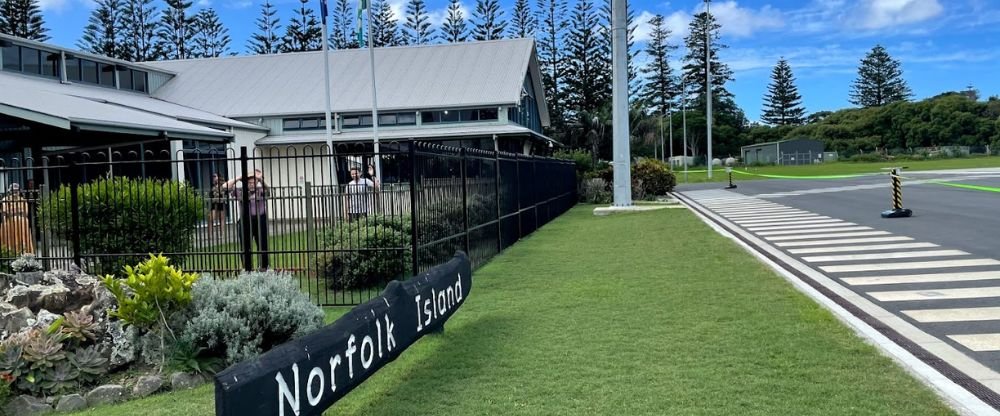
column 240, row 318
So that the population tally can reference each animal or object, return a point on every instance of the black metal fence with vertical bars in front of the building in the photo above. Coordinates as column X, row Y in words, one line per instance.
column 343, row 222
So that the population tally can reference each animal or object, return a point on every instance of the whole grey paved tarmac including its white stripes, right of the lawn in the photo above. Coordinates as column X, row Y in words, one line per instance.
column 938, row 271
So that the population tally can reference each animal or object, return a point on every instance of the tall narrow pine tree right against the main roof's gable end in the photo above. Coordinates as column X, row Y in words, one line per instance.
column 551, row 33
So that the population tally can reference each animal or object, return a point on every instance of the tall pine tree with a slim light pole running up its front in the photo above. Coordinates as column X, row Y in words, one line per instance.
column 694, row 61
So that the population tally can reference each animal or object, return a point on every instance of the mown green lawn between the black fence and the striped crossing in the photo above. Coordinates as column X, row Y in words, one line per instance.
column 625, row 315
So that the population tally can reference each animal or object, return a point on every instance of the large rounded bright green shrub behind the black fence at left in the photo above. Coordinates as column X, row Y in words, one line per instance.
column 124, row 215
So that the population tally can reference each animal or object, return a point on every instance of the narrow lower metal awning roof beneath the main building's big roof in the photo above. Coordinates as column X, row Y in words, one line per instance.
column 464, row 130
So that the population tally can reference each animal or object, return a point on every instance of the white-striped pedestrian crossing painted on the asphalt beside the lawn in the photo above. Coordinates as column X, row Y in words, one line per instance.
column 887, row 268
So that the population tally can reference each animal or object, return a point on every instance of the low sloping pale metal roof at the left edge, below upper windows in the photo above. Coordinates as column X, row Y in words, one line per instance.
column 67, row 111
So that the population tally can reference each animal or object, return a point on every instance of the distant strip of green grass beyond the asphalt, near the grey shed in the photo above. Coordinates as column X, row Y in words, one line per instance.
column 838, row 168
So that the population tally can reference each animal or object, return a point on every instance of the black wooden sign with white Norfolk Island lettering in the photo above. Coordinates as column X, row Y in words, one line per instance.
column 307, row 375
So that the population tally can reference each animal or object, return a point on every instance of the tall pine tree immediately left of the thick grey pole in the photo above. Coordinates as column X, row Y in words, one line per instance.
column 589, row 70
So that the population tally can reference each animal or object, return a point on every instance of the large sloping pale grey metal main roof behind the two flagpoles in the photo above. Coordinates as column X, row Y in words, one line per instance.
column 454, row 75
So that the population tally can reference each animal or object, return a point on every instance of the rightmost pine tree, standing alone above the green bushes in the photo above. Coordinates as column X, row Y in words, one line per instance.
column 880, row 80
